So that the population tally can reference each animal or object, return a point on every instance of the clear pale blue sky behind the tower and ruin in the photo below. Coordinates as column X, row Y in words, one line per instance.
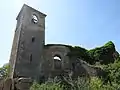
column 87, row 23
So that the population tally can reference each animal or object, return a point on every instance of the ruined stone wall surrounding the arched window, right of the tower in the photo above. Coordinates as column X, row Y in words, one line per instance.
column 48, row 60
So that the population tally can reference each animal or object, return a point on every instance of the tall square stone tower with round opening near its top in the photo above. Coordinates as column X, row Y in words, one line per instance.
column 28, row 43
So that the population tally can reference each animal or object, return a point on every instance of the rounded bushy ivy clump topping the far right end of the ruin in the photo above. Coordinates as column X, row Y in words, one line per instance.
column 103, row 54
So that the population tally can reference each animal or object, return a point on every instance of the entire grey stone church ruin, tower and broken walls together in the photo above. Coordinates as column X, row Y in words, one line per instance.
column 32, row 60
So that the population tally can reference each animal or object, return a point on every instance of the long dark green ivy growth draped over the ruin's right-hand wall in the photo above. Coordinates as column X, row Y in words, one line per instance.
column 105, row 54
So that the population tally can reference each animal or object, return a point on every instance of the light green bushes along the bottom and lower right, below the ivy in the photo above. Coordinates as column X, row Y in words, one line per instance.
column 94, row 84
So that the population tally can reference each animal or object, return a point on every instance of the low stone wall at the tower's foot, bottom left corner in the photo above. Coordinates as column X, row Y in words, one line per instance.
column 16, row 84
